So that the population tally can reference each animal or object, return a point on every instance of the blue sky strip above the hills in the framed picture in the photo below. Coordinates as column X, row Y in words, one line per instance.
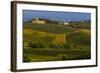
column 56, row 15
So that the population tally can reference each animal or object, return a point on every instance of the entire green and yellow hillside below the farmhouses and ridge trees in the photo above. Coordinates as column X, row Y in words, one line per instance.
column 54, row 42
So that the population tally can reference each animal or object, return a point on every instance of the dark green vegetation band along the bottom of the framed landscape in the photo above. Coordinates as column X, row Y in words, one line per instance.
column 38, row 54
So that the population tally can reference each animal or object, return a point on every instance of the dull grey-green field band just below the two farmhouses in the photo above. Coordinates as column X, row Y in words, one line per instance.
column 51, row 28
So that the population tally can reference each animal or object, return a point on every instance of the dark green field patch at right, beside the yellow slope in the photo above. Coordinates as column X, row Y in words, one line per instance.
column 79, row 39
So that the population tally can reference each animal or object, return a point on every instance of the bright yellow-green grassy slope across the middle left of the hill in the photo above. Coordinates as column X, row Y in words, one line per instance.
column 29, row 34
